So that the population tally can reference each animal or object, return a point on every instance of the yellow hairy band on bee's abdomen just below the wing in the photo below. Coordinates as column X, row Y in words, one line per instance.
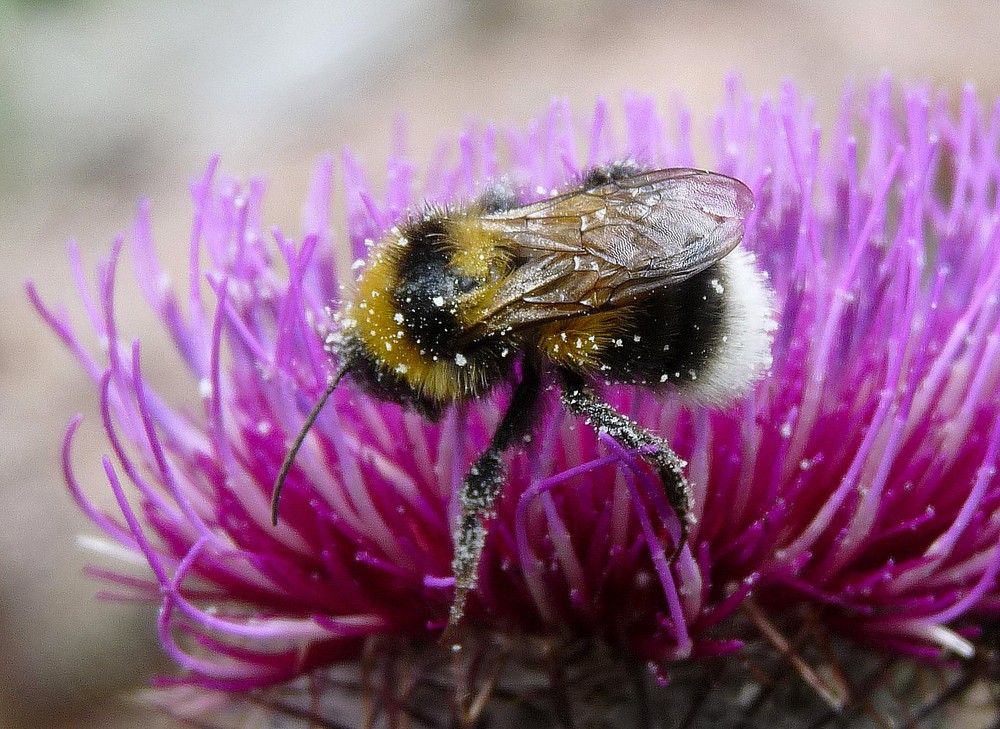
column 578, row 342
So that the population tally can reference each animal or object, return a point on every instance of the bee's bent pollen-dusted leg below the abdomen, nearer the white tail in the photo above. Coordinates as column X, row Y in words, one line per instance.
column 581, row 399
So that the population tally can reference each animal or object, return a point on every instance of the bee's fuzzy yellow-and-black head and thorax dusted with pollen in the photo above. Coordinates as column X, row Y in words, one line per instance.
column 406, row 335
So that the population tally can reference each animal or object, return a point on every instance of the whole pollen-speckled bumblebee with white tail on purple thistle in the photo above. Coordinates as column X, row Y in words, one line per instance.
column 632, row 277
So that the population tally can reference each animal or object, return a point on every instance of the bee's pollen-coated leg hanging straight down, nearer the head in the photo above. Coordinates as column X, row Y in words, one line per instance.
column 480, row 489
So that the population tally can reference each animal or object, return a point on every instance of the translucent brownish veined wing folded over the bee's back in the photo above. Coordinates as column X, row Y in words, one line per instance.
column 609, row 245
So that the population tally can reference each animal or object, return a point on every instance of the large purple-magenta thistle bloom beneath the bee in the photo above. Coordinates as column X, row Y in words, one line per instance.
column 856, row 485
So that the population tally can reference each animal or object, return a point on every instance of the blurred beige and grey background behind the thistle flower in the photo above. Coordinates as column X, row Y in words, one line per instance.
column 106, row 101
